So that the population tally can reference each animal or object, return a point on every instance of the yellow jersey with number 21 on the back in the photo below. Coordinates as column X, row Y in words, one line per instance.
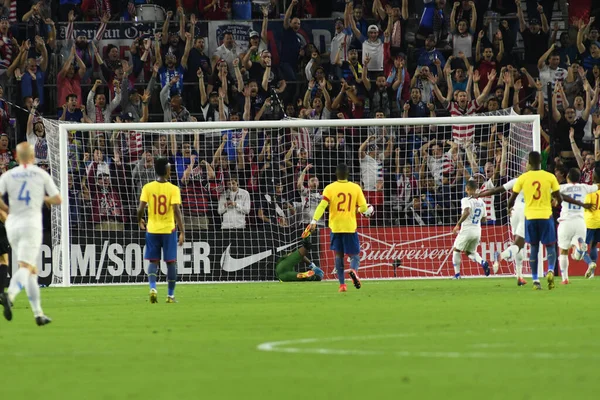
column 343, row 198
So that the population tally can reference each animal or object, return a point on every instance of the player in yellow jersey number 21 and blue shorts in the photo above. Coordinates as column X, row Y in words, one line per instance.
column 343, row 197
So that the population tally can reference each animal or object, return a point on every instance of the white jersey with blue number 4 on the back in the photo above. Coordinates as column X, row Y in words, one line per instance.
column 26, row 185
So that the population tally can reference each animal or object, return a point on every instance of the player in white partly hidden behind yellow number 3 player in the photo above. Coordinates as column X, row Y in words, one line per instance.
column 515, row 251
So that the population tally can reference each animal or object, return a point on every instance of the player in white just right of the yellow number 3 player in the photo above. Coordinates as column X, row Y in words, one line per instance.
column 571, row 228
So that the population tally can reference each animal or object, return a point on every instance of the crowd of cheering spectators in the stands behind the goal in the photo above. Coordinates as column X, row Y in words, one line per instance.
column 459, row 59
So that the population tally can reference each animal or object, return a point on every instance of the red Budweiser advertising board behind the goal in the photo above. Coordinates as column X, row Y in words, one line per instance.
column 416, row 252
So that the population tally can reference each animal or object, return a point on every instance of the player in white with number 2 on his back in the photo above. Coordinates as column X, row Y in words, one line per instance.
column 468, row 228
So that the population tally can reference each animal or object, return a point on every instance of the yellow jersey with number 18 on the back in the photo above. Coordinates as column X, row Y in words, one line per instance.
column 160, row 197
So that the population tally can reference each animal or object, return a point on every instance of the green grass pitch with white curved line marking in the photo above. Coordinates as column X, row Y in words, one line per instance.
column 428, row 339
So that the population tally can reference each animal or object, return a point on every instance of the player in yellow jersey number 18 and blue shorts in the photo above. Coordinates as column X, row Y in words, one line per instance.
column 163, row 200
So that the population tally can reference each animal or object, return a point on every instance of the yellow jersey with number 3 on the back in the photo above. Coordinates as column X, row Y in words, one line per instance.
column 537, row 187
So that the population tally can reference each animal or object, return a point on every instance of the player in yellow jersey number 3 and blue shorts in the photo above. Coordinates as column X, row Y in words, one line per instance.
column 539, row 187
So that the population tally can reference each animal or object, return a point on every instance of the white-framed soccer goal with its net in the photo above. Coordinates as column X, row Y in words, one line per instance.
column 249, row 189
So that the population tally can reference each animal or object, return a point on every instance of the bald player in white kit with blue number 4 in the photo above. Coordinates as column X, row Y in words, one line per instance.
column 27, row 186
